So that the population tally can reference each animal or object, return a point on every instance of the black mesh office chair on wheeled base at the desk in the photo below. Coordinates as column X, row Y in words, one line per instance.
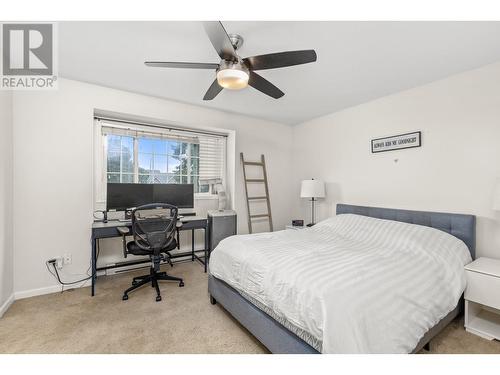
column 154, row 235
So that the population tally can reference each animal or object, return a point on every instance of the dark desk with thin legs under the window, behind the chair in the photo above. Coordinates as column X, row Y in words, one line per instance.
column 108, row 230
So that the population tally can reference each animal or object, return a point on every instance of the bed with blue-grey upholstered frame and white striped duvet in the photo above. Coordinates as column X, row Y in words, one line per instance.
column 317, row 311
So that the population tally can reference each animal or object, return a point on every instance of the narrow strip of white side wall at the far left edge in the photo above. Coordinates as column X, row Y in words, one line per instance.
column 6, row 243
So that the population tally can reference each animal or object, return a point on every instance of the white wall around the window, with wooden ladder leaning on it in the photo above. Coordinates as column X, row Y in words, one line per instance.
column 53, row 169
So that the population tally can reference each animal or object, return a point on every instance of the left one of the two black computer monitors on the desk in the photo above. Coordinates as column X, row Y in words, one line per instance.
column 120, row 197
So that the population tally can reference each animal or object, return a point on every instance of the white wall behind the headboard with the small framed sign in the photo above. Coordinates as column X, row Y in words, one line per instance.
column 454, row 171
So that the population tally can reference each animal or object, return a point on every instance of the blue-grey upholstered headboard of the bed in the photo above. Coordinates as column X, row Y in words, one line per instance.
column 458, row 225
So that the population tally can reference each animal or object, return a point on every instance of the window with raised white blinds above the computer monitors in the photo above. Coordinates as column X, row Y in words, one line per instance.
column 153, row 155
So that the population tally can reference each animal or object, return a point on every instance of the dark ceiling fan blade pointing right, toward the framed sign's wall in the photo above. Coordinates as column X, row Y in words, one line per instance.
column 280, row 59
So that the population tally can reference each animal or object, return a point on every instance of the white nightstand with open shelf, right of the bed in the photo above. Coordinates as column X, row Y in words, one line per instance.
column 482, row 298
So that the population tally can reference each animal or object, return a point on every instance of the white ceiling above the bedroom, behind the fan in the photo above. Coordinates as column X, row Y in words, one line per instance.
column 357, row 61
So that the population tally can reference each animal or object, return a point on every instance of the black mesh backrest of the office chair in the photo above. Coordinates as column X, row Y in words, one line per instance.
column 154, row 232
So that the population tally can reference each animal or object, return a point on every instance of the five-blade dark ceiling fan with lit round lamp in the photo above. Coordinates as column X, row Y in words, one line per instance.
column 235, row 73
